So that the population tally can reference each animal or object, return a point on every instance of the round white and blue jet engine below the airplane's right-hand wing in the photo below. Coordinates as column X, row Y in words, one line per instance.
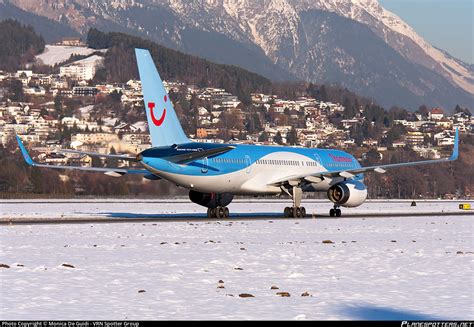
column 348, row 194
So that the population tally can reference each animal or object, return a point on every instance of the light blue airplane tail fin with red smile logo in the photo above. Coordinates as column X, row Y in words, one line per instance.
column 163, row 123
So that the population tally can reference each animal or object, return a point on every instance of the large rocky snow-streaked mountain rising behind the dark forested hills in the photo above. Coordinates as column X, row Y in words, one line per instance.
column 355, row 43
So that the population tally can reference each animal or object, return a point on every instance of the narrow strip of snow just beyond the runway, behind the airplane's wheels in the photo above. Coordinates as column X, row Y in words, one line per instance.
column 121, row 208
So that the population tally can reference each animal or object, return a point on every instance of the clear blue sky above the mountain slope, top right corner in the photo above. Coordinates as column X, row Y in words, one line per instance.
column 446, row 24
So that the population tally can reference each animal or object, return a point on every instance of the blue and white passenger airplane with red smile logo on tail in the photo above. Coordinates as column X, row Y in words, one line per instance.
column 215, row 173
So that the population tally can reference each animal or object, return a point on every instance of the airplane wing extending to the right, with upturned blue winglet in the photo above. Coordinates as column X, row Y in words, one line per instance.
column 351, row 173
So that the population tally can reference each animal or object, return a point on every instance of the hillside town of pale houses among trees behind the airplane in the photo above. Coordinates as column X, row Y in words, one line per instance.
column 301, row 122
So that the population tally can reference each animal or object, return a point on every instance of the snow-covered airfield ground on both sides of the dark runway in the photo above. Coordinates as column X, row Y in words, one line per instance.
column 413, row 268
